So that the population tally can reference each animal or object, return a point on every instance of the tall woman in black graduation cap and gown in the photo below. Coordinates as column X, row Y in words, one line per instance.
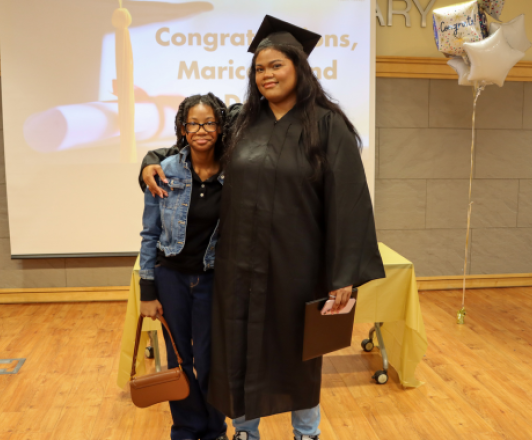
column 296, row 225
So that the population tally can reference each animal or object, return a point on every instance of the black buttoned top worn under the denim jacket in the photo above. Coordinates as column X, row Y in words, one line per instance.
column 203, row 214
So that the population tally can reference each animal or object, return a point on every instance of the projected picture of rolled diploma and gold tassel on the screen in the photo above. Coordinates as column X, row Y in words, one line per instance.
column 135, row 118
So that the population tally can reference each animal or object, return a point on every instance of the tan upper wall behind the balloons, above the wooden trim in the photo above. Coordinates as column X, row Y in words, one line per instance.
column 398, row 40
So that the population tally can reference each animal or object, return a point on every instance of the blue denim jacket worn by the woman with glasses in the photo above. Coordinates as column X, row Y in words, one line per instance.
column 164, row 221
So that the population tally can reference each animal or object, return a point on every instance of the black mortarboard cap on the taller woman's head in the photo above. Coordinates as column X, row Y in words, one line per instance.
column 281, row 32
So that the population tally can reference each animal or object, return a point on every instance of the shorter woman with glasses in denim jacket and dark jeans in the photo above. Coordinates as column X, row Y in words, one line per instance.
column 177, row 257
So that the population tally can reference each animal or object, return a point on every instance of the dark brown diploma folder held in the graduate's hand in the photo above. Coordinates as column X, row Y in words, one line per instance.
column 325, row 333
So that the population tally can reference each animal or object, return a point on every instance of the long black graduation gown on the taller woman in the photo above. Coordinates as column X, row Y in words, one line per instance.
column 285, row 239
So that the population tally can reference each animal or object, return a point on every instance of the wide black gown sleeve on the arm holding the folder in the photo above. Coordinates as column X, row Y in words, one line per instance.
column 352, row 252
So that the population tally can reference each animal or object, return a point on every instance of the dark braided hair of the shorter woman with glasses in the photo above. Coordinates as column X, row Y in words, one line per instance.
column 220, row 111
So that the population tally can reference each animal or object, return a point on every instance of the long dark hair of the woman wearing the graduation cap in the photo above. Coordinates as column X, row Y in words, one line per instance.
column 309, row 94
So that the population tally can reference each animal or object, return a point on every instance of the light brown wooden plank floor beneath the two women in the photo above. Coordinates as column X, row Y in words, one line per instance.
column 478, row 377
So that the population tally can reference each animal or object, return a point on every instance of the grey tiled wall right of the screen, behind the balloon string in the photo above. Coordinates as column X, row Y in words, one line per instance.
column 423, row 165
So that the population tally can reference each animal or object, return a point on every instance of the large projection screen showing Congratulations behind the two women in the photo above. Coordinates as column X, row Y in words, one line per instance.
column 70, row 191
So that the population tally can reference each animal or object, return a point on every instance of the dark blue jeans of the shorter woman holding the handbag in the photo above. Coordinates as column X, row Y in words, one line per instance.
column 187, row 301
